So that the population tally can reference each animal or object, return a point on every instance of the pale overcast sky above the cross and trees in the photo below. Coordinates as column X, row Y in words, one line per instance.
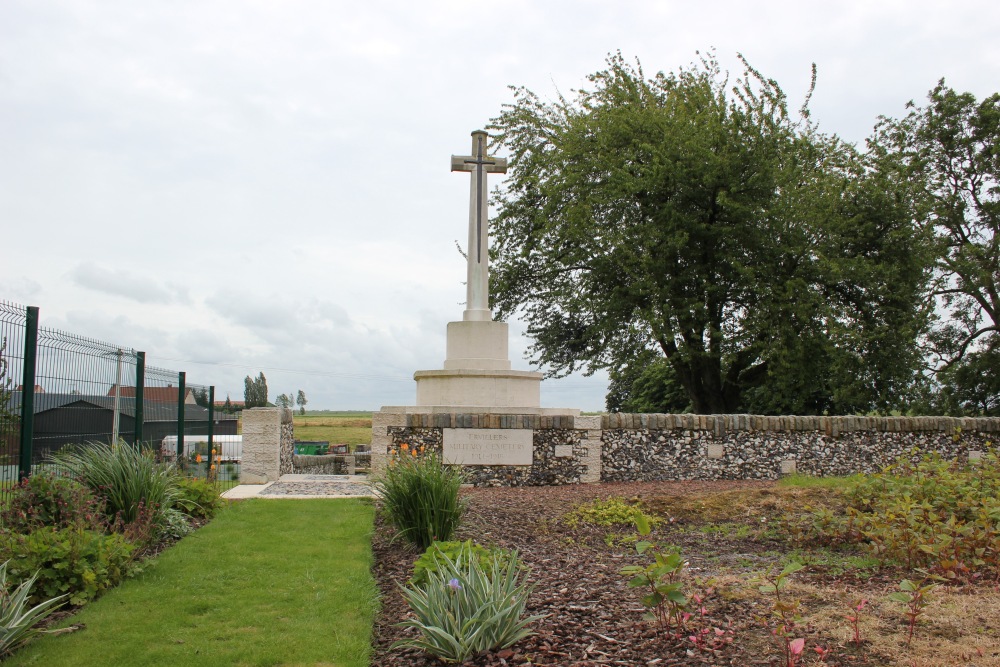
column 237, row 187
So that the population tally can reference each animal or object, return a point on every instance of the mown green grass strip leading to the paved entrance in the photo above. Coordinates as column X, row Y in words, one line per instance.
column 267, row 582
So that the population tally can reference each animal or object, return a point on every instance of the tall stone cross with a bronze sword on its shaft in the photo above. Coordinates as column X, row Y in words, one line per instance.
column 477, row 289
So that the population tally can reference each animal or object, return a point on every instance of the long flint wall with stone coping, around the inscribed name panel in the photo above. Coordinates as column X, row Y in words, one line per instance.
column 570, row 449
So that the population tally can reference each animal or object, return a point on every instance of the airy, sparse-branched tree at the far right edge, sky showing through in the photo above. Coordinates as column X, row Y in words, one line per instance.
column 949, row 153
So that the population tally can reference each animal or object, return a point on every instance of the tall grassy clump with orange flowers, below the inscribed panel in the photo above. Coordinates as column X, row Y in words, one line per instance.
column 420, row 497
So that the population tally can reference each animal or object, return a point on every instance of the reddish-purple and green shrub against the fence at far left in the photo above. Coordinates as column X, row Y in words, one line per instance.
column 48, row 500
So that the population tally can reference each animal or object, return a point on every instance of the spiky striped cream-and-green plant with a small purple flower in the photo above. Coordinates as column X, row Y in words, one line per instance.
column 464, row 609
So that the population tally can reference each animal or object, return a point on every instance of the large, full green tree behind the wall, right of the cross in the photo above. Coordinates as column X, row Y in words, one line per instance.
column 767, row 265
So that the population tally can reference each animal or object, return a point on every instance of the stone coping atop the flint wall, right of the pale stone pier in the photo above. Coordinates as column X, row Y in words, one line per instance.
column 831, row 426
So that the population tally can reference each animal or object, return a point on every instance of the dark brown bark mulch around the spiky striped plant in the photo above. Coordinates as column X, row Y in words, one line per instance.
column 593, row 618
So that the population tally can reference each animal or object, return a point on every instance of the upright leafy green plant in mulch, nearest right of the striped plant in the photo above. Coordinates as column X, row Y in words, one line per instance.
column 661, row 578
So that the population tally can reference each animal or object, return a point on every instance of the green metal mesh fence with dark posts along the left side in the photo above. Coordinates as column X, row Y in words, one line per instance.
column 84, row 390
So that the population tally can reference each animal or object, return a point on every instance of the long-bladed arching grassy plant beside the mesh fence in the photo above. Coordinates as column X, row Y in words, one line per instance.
column 125, row 477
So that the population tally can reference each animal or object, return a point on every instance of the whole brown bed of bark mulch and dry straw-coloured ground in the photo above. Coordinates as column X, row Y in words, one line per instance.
column 727, row 532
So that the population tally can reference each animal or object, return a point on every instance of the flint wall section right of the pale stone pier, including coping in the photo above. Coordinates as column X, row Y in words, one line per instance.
column 677, row 447
